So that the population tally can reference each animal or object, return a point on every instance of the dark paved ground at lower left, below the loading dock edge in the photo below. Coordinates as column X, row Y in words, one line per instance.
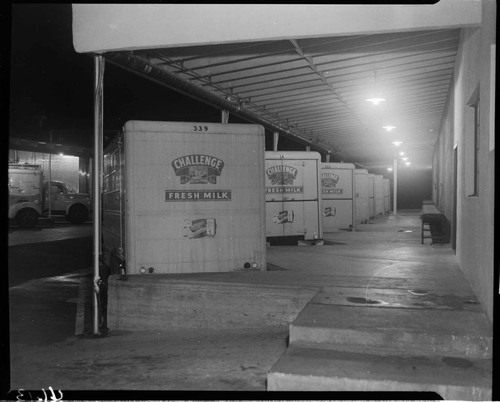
column 44, row 351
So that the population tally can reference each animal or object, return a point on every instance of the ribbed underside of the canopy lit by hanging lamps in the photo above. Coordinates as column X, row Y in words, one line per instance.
column 316, row 88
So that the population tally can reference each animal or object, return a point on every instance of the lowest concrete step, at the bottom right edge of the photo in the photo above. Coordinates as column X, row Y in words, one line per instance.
column 314, row 369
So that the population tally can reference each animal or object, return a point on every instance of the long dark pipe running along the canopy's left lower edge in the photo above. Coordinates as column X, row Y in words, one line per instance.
column 141, row 66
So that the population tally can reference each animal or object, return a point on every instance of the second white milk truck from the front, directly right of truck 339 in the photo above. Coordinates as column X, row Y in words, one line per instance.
column 293, row 195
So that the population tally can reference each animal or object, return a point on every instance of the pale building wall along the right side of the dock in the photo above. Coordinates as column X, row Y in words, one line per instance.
column 474, row 75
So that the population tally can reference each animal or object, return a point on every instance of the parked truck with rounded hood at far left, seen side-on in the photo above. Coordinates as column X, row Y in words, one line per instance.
column 29, row 197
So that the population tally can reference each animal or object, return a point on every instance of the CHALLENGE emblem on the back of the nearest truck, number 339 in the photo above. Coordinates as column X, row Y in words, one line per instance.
column 196, row 169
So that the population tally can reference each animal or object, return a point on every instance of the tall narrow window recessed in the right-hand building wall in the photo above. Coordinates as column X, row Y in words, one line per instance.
column 472, row 145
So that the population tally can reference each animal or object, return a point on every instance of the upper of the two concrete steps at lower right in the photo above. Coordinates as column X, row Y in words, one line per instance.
column 459, row 333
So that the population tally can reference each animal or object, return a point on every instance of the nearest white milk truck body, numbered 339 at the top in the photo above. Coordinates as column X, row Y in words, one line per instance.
column 186, row 197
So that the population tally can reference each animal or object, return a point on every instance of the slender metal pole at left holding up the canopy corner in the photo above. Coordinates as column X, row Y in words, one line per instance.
column 97, row 178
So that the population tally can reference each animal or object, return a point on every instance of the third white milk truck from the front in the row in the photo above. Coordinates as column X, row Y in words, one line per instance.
column 337, row 189
